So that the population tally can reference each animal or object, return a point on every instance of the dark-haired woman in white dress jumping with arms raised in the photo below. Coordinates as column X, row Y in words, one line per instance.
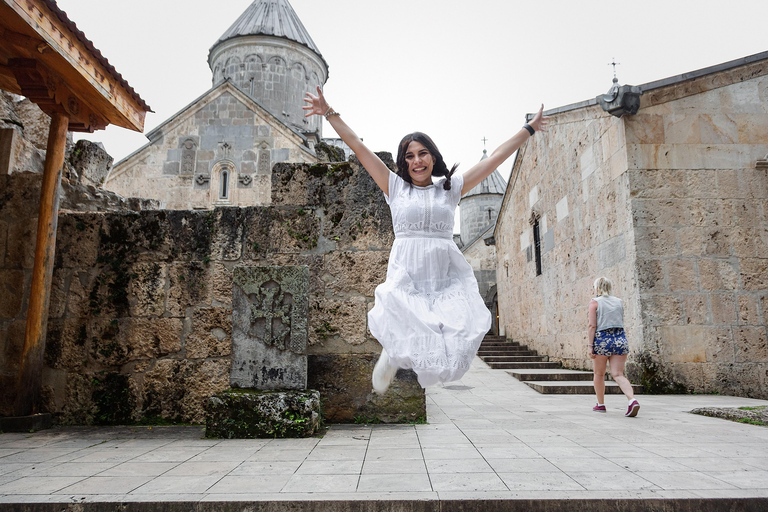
column 428, row 314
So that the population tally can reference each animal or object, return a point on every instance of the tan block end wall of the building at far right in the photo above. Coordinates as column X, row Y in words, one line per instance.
column 700, row 208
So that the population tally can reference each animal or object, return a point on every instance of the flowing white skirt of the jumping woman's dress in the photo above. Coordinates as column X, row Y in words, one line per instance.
column 428, row 314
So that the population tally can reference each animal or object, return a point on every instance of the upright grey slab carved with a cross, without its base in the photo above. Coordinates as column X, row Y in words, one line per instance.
column 269, row 327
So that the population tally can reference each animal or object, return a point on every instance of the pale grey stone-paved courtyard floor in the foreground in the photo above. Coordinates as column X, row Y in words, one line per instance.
column 491, row 440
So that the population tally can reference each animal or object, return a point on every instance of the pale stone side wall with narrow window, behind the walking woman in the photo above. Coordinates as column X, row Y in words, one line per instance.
column 572, row 179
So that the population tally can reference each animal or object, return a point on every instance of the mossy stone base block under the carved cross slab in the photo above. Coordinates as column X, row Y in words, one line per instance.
column 249, row 414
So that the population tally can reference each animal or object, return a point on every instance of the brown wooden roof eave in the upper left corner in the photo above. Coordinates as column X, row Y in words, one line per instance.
column 44, row 57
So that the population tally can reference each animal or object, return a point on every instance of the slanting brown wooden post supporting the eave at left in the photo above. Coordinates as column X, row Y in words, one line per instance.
column 31, row 371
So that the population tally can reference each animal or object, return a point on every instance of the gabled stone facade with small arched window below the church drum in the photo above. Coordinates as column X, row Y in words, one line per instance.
column 218, row 151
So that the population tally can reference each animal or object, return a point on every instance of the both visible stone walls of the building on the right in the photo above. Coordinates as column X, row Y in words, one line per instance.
column 671, row 206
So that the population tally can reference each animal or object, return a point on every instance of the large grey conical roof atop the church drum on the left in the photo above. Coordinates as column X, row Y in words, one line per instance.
column 270, row 18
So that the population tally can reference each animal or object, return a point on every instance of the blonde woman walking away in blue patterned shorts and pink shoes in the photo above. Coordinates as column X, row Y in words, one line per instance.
column 608, row 343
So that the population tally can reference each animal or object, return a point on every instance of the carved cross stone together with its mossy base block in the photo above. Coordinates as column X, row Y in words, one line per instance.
column 268, row 376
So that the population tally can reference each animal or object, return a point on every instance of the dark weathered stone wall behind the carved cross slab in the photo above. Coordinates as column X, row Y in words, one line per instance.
column 140, row 315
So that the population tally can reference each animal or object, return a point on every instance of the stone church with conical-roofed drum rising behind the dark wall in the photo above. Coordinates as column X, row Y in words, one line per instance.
column 219, row 149
